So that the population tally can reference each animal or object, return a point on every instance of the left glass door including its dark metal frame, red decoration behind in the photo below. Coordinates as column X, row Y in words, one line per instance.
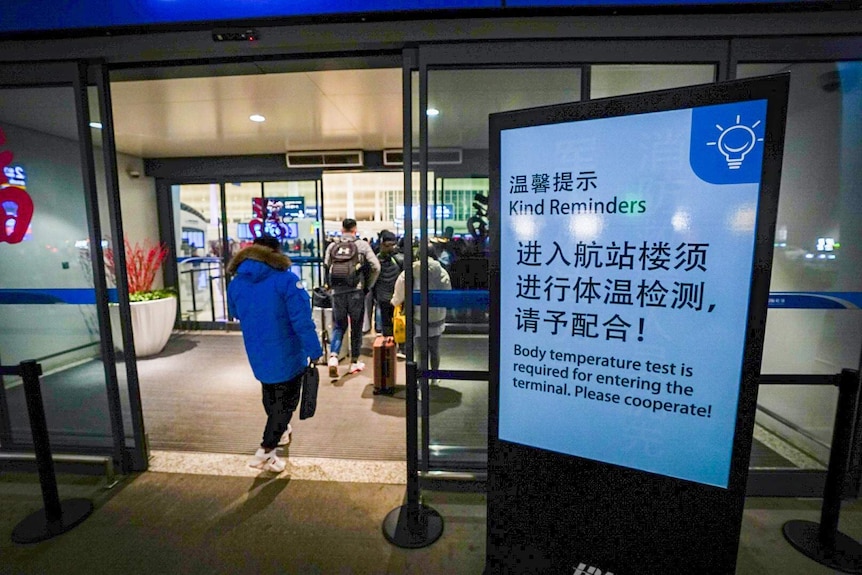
column 54, row 301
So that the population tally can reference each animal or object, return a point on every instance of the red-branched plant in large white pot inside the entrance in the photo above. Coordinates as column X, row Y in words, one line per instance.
column 153, row 310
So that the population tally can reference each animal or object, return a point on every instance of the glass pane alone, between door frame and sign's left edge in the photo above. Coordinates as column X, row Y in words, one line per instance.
column 458, row 228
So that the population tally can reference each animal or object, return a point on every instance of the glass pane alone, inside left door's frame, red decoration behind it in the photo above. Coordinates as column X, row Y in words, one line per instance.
column 47, row 296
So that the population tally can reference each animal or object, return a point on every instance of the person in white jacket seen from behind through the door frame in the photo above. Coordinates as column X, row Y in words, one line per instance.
column 438, row 279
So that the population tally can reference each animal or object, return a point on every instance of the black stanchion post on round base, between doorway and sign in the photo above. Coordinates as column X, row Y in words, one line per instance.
column 414, row 524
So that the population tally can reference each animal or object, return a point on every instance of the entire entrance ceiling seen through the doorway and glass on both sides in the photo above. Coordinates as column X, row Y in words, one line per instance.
column 204, row 111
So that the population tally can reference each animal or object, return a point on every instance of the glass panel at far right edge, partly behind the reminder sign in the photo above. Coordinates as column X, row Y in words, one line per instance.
column 817, row 252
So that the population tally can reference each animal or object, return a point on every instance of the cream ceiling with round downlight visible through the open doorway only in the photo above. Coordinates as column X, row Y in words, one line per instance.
column 209, row 116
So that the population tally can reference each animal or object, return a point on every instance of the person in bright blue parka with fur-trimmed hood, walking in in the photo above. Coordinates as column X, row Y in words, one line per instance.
column 279, row 335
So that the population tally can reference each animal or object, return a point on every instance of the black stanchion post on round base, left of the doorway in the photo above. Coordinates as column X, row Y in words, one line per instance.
column 56, row 517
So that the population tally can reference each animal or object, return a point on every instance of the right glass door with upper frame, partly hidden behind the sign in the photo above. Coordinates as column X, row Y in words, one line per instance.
column 458, row 89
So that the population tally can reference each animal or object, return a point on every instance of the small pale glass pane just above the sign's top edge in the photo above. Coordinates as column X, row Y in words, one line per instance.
column 620, row 79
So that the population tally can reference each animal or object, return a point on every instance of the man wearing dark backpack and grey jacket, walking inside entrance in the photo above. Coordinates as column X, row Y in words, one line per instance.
column 351, row 271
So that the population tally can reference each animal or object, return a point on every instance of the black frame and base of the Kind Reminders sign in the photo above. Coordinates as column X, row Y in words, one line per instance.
column 553, row 513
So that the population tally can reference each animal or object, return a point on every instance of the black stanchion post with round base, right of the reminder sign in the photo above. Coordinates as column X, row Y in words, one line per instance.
column 823, row 542
